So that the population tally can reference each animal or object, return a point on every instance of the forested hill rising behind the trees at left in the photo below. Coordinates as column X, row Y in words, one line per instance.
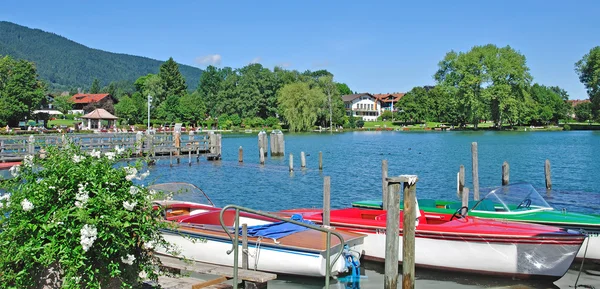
column 65, row 63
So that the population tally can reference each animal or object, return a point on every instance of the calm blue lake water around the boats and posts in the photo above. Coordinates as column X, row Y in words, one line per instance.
column 353, row 160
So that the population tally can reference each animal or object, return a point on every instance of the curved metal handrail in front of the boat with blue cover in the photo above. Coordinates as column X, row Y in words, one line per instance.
column 235, row 238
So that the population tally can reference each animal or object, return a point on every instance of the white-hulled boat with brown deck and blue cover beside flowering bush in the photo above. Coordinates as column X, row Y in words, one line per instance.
column 273, row 246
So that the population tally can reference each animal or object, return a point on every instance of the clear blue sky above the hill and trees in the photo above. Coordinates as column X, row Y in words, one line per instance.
column 373, row 46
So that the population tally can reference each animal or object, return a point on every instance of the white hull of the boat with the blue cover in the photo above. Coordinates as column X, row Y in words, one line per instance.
column 208, row 249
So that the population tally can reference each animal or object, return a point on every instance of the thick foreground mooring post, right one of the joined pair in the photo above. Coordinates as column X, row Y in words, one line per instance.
column 408, row 231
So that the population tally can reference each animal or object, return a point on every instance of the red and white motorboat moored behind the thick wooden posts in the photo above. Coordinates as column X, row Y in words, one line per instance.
column 456, row 242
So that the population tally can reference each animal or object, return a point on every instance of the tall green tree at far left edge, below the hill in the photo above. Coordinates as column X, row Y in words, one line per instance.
column 21, row 91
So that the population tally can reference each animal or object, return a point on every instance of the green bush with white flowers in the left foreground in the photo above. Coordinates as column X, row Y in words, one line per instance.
column 80, row 217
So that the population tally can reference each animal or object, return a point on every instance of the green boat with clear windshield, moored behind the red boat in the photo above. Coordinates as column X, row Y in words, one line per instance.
column 517, row 202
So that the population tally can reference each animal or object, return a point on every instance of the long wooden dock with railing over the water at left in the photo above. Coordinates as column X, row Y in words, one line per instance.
column 15, row 148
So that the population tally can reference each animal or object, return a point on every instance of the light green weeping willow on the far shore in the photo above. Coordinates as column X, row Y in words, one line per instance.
column 300, row 105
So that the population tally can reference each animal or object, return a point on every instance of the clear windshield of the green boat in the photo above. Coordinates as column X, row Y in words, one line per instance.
column 513, row 198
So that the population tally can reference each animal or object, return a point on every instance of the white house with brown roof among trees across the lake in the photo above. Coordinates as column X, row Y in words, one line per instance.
column 363, row 105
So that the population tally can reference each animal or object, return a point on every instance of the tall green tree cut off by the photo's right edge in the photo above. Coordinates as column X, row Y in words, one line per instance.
column 588, row 69
